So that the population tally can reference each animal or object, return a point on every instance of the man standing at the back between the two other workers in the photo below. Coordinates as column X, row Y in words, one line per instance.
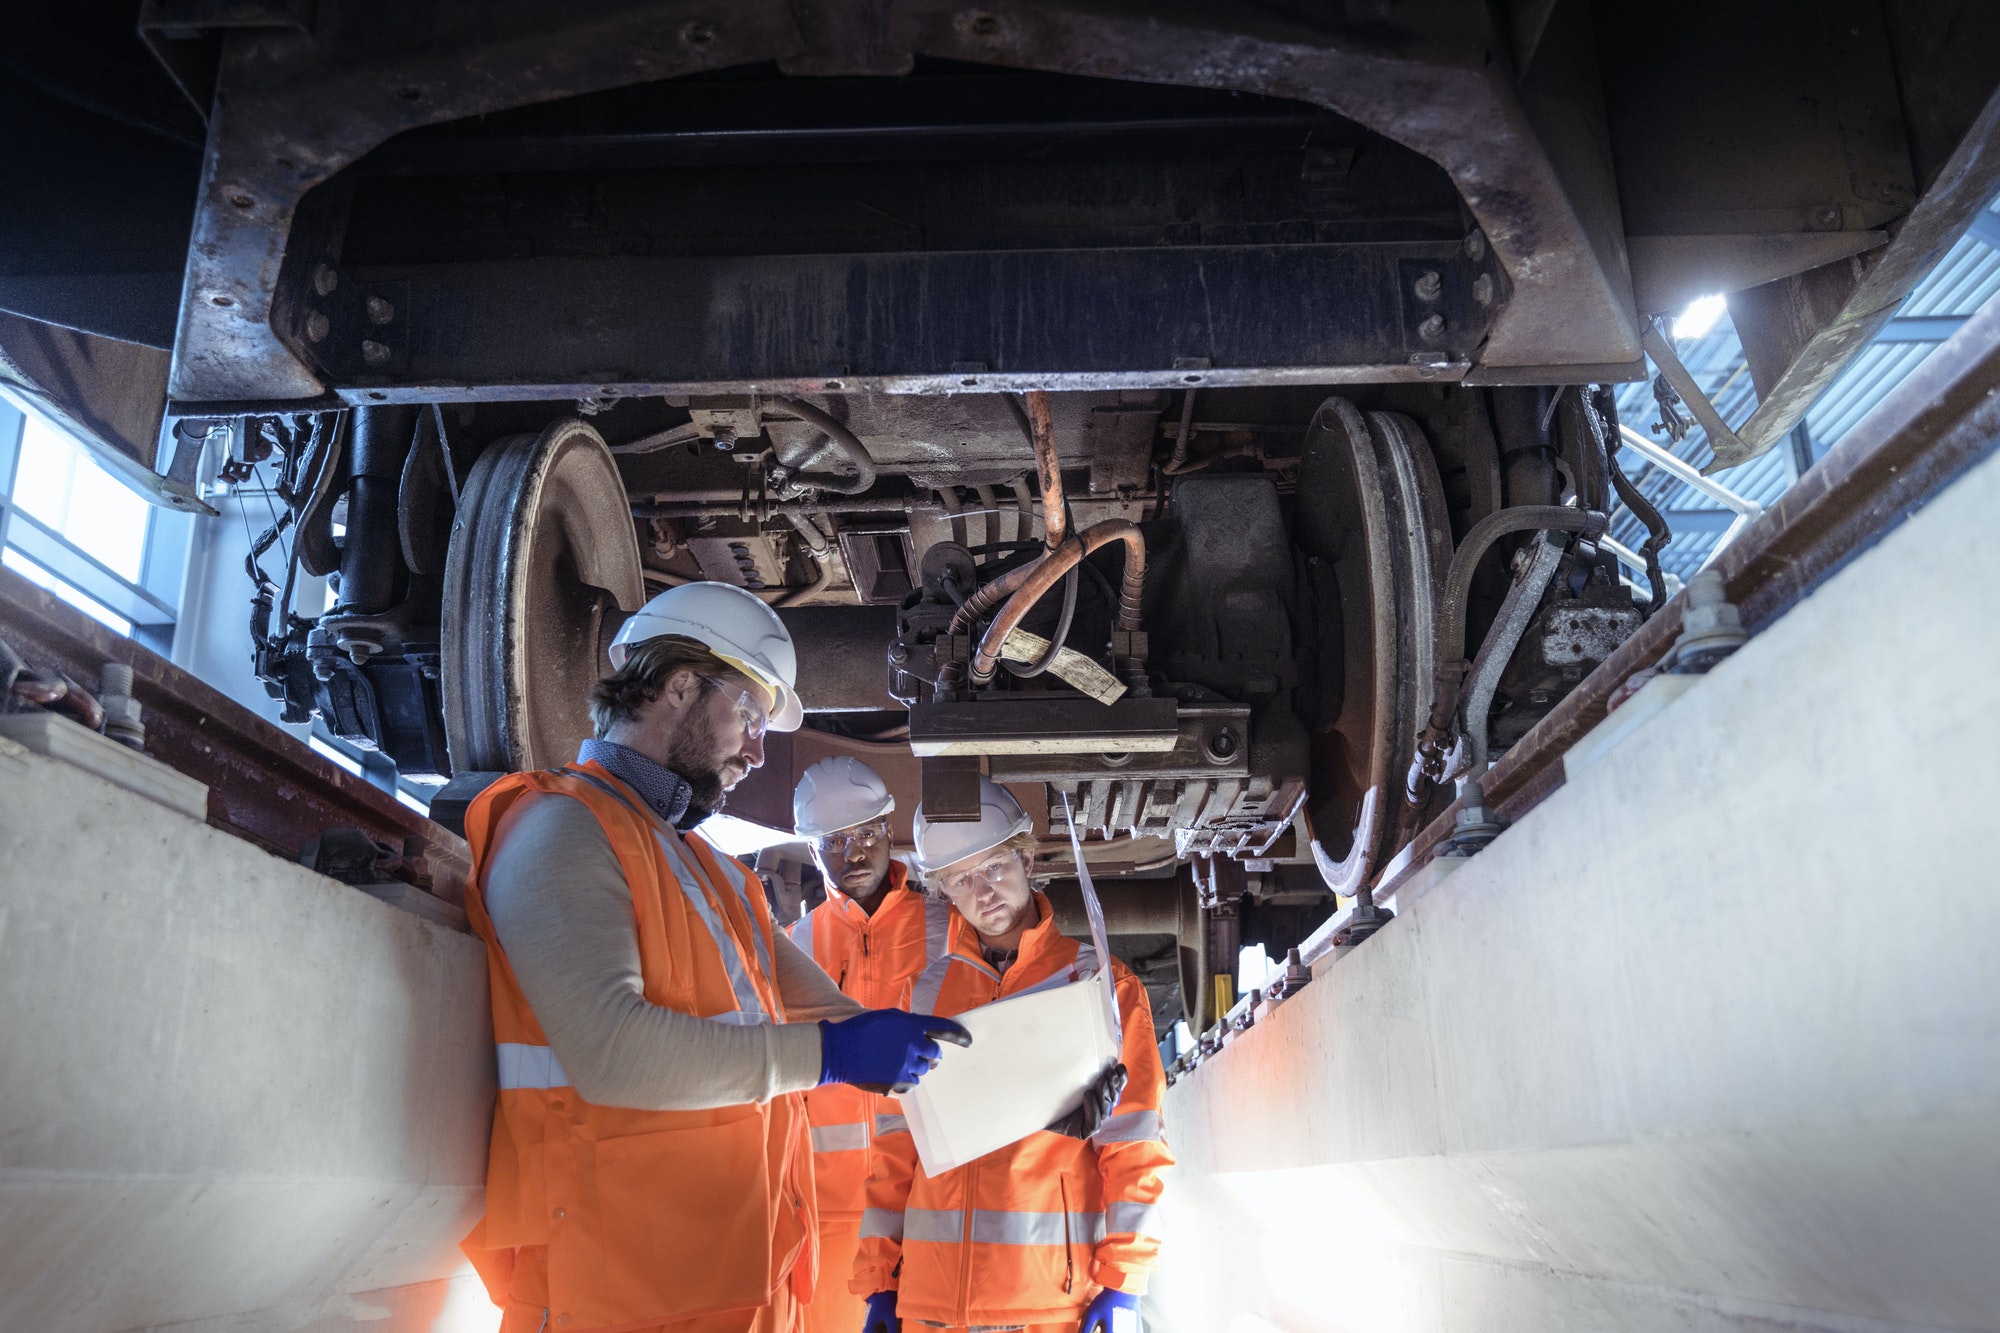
column 869, row 938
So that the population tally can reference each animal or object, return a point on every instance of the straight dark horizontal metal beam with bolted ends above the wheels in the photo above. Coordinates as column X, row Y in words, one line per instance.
column 913, row 323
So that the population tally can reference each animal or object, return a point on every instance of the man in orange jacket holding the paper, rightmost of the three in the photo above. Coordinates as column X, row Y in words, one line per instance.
column 1057, row 1232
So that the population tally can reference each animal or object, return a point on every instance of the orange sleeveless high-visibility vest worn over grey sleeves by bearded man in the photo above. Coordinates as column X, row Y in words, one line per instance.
column 643, row 1218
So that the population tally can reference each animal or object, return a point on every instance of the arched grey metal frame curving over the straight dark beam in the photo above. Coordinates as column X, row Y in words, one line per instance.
column 295, row 109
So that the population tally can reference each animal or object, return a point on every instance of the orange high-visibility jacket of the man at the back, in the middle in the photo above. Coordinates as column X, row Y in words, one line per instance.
column 877, row 962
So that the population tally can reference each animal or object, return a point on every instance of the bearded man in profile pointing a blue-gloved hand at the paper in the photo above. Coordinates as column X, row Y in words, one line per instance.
column 651, row 1164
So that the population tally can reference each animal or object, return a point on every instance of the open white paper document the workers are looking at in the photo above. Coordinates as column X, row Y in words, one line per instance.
column 1029, row 1062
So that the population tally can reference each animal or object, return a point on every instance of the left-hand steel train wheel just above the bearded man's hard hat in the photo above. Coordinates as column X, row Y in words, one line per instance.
column 543, row 567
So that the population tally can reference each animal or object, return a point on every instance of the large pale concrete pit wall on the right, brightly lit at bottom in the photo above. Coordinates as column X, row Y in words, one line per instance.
column 1709, row 1042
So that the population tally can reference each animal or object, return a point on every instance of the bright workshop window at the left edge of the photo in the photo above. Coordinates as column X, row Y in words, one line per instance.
column 75, row 529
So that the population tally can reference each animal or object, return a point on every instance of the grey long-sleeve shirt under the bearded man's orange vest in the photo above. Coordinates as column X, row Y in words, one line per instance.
column 563, row 914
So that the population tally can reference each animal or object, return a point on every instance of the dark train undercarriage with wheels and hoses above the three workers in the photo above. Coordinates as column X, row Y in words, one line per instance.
column 1197, row 421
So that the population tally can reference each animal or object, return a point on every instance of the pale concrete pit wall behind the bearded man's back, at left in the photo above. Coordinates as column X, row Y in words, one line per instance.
column 237, row 1094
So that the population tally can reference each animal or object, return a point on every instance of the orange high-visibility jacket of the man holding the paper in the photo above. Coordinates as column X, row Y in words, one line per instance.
column 1029, row 1232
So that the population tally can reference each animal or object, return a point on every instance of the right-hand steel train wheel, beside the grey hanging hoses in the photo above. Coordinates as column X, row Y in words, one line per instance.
column 1375, row 529
